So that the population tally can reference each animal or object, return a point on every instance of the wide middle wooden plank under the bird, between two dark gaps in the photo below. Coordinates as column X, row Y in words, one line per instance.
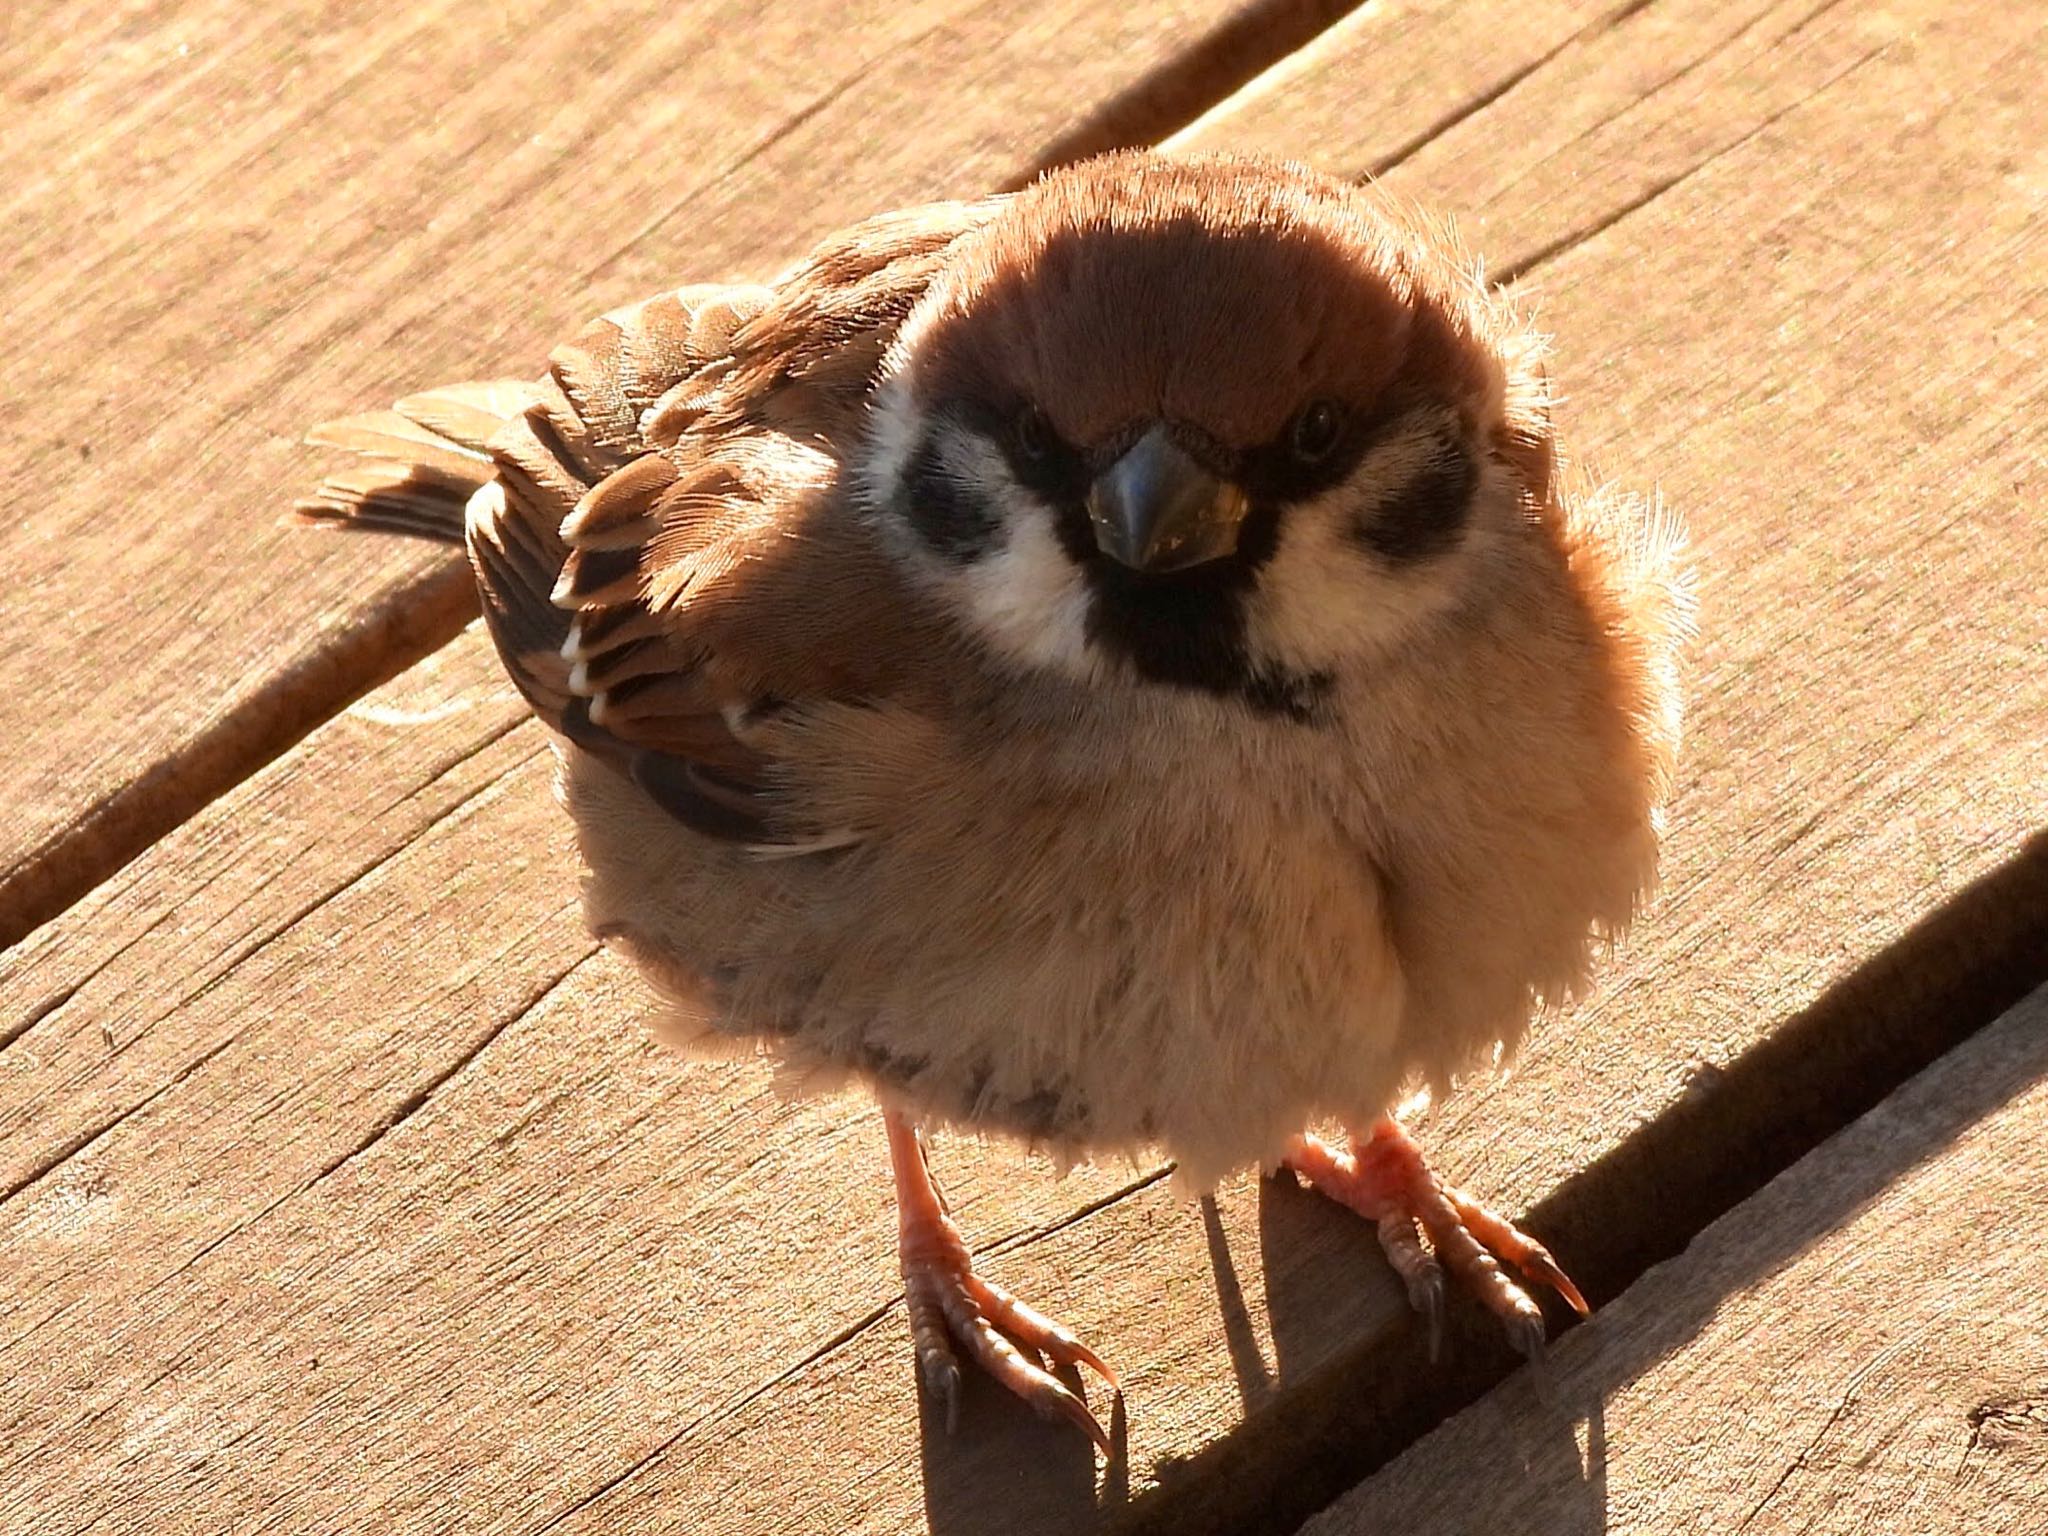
column 343, row 1189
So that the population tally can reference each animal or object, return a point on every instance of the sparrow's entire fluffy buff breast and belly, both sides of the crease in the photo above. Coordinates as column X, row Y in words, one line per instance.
column 1150, row 919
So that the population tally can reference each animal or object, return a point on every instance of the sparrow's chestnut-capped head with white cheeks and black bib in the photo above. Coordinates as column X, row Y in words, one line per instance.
column 1213, row 425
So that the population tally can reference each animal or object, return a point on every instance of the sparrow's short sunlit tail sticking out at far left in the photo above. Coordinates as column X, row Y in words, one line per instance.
column 419, row 462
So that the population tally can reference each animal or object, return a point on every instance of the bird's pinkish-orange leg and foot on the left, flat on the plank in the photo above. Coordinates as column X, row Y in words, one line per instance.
column 949, row 1304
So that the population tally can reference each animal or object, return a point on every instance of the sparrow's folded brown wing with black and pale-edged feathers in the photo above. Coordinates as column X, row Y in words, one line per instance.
column 667, row 556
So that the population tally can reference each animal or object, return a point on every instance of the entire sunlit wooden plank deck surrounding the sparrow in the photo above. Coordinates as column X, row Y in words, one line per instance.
column 339, row 1189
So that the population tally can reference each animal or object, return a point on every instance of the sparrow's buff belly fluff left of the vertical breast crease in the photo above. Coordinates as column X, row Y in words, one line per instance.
column 1095, row 927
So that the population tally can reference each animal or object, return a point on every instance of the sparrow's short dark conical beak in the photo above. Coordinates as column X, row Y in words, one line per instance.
column 1158, row 511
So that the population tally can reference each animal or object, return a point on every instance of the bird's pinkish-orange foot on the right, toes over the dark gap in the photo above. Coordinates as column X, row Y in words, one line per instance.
column 1388, row 1183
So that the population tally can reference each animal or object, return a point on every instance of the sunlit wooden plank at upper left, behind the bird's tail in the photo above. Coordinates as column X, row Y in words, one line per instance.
column 226, row 226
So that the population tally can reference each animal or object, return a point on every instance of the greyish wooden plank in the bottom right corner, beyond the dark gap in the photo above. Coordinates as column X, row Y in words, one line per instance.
column 1859, row 1349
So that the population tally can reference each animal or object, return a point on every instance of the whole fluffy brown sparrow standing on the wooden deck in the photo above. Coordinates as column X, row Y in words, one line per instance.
column 1113, row 665
